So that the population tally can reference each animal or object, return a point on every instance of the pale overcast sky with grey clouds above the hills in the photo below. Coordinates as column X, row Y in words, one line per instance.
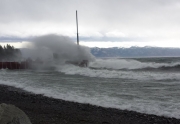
column 102, row 23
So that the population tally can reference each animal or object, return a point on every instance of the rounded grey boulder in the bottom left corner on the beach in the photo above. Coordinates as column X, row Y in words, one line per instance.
column 10, row 114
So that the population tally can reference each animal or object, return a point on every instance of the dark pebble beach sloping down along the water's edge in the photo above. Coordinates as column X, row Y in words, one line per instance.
column 45, row 110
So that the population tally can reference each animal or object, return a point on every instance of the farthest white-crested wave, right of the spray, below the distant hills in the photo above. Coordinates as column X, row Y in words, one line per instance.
column 130, row 64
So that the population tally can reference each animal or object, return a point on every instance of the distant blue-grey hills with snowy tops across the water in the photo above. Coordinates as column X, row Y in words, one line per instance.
column 136, row 52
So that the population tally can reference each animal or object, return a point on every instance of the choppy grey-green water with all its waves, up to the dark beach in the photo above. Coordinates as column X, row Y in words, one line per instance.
column 146, row 85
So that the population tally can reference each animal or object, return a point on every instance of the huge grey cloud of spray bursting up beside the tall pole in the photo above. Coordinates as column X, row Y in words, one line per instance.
column 57, row 48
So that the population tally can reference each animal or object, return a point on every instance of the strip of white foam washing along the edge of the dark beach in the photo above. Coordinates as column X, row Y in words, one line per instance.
column 142, row 106
